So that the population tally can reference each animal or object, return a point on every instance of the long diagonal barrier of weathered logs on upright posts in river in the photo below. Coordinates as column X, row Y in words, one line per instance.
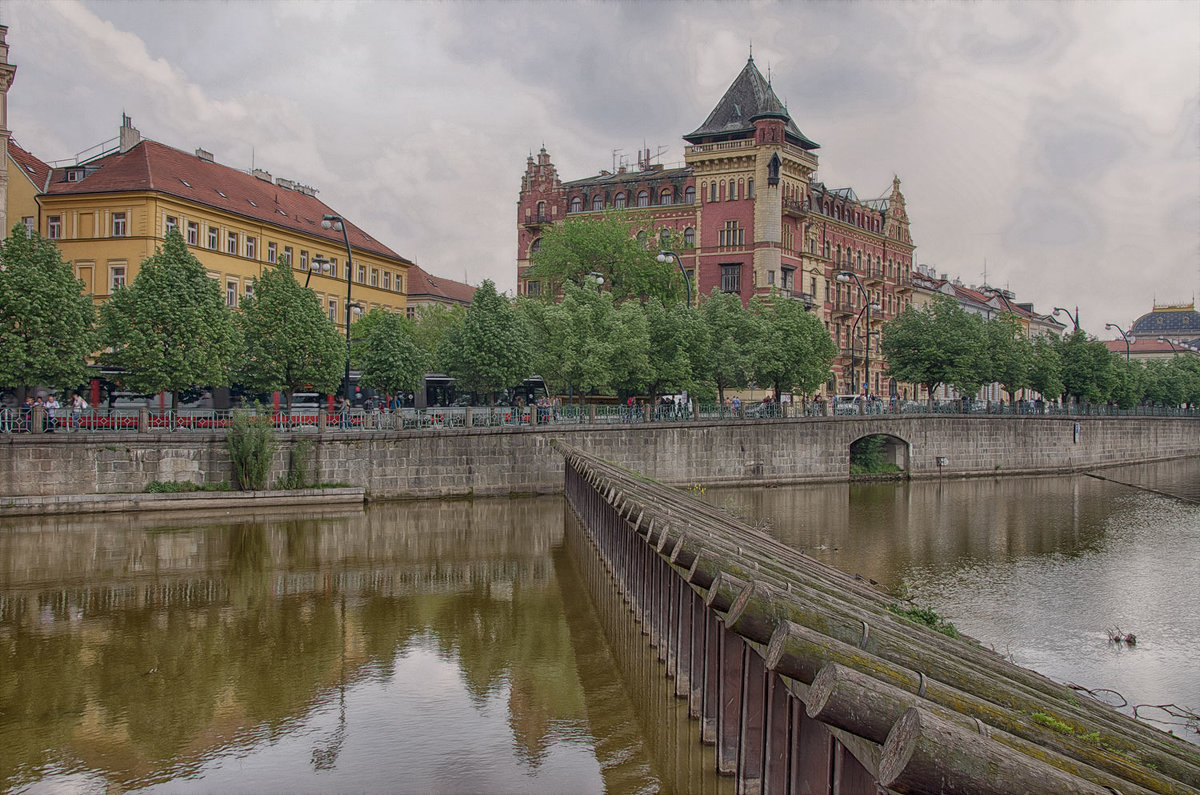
column 806, row 683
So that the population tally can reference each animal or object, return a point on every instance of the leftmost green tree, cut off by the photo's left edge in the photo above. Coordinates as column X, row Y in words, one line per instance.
column 47, row 322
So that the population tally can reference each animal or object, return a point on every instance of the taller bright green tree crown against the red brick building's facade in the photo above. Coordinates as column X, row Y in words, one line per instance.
column 607, row 246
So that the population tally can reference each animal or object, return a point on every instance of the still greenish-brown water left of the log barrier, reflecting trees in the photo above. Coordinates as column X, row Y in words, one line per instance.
column 413, row 647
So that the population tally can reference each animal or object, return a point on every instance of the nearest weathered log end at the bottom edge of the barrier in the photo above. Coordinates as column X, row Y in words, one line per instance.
column 927, row 755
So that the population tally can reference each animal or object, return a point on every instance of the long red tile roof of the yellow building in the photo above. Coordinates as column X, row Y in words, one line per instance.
column 152, row 166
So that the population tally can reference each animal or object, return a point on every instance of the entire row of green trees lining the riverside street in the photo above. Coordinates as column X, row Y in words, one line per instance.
column 171, row 331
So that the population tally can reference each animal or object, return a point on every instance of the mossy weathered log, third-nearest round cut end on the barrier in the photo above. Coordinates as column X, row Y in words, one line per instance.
column 800, row 654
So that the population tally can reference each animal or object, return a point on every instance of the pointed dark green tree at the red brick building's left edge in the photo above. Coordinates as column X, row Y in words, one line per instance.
column 490, row 351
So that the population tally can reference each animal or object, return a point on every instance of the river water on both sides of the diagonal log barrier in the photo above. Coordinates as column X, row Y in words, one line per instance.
column 453, row 647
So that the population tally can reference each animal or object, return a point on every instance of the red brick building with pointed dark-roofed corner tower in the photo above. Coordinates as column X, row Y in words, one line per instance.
column 753, row 217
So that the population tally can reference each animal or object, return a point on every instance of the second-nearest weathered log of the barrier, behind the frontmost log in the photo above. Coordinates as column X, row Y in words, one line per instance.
column 848, row 700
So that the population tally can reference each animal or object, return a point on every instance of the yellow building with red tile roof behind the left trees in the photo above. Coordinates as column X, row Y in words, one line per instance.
column 110, row 213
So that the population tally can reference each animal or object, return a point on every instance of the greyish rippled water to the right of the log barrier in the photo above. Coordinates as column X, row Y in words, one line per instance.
column 1037, row 569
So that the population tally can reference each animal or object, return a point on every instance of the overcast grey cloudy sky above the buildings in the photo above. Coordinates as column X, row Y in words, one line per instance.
column 1057, row 145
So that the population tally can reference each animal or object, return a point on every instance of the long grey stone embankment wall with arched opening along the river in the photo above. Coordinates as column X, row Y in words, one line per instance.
column 496, row 462
